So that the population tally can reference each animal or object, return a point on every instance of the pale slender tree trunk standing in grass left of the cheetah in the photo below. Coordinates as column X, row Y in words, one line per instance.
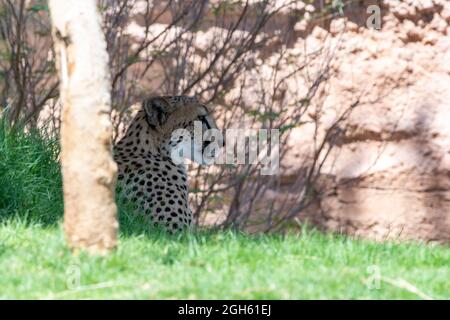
column 89, row 172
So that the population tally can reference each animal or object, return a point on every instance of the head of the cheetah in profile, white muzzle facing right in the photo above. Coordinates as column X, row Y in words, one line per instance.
column 186, row 127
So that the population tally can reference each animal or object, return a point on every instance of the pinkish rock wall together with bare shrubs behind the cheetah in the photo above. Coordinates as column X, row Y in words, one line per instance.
column 363, row 111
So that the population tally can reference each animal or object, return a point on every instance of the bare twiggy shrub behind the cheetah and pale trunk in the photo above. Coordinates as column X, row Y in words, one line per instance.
column 240, row 57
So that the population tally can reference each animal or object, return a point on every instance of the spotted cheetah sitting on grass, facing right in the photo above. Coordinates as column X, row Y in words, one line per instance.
column 148, row 174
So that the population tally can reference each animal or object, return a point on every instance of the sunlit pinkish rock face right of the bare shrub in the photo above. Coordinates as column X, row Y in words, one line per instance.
column 393, row 168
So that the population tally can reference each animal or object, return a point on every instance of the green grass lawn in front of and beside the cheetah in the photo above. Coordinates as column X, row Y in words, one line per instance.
column 150, row 264
